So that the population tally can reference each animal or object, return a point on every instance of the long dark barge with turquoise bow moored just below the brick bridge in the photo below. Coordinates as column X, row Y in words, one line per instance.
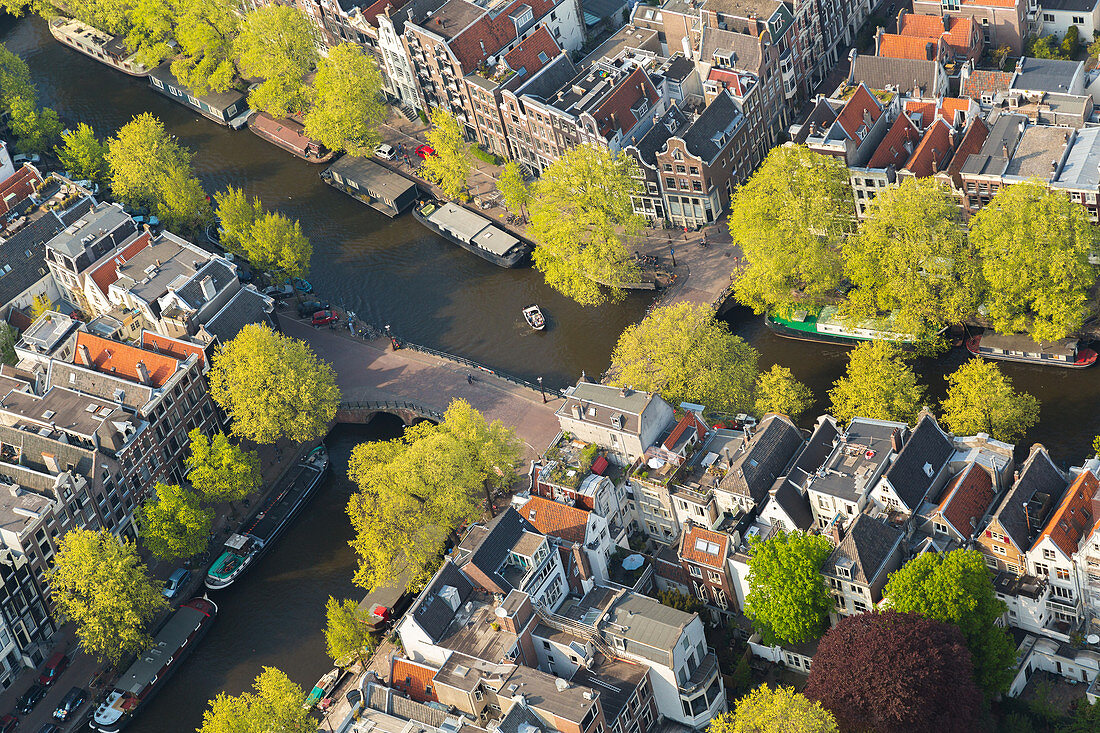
column 260, row 532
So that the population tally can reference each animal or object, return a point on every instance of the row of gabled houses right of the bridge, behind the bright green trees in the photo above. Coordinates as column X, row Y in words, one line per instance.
column 883, row 493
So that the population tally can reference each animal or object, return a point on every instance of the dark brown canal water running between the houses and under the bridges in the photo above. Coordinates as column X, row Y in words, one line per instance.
column 434, row 293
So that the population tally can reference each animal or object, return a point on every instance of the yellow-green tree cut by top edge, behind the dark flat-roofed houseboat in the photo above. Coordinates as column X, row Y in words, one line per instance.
column 205, row 30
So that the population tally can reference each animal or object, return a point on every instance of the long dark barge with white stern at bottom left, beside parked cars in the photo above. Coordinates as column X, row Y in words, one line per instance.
column 172, row 644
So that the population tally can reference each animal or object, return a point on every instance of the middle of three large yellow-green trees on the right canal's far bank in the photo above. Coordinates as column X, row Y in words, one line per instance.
column 911, row 264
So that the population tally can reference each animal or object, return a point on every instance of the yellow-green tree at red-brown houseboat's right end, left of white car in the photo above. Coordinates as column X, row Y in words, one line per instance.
column 348, row 106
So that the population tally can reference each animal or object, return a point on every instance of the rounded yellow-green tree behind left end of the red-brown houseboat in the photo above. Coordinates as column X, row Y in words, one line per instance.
column 278, row 43
